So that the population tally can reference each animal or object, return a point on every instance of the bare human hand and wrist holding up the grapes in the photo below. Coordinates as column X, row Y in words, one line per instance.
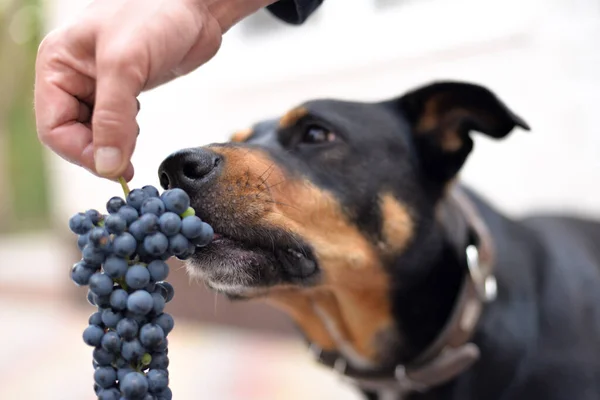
column 90, row 72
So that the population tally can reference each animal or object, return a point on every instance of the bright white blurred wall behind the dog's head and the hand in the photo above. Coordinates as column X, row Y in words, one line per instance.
column 540, row 56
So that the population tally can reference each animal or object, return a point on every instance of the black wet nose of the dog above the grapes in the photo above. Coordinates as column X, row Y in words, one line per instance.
column 188, row 168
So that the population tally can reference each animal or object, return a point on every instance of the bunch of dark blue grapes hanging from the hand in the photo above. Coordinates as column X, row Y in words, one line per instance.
column 123, row 264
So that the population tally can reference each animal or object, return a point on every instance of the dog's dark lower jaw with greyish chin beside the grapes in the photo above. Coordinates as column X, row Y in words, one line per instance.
column 240, row 270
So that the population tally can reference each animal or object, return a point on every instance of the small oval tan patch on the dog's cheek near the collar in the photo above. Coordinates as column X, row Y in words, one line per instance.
column 397, row 227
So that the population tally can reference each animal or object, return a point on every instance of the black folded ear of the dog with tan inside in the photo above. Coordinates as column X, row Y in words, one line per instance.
column 442, row 116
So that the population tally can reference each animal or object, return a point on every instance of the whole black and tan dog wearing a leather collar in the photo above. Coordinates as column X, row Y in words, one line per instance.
column 346, row 215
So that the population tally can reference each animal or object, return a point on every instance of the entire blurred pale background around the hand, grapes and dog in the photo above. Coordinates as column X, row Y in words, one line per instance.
column 540, row 56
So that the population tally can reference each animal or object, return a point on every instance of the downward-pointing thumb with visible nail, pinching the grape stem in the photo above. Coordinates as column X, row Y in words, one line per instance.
column 114, row 126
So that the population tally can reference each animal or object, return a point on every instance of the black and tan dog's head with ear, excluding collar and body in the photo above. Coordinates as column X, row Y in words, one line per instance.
column 316, row 210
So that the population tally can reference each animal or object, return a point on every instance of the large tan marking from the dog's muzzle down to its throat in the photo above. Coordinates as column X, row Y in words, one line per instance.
column 355, row 289
